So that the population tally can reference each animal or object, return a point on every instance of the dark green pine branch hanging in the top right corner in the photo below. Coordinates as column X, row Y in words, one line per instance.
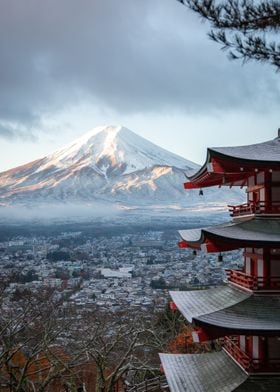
column 242, row 26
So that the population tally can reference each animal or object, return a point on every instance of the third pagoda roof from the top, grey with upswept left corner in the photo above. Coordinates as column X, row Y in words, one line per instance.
column 230, row 308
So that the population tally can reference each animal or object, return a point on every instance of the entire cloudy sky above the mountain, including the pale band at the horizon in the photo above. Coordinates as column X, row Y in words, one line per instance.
column 68, row 66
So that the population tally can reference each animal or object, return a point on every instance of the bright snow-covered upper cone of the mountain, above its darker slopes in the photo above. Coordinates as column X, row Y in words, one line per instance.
column 115, row 150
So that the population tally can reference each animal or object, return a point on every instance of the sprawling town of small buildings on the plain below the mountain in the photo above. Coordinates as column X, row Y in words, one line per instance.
column 114, row 272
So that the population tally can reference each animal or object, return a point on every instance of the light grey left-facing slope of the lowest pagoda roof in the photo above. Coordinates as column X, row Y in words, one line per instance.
column 212, row 372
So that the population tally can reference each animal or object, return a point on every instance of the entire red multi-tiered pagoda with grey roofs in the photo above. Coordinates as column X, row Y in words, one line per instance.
column 245, row 312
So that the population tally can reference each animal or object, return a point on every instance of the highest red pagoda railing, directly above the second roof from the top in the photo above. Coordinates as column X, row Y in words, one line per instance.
column 261, row 207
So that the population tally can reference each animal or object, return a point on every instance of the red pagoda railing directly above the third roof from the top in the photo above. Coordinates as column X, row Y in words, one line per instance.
column 253, row 282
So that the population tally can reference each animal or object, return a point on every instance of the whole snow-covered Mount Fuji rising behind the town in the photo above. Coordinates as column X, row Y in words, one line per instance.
column 109, row 164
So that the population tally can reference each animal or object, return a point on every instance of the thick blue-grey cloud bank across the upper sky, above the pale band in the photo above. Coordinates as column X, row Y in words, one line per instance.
column 128, row 56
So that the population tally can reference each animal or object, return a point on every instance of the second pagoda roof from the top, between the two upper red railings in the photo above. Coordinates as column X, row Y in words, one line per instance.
column 255, row 231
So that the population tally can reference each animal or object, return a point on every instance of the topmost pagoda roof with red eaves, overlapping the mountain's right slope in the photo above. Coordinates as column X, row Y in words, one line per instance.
column 233, row 165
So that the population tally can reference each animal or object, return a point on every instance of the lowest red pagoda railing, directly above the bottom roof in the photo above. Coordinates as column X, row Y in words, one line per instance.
column 250, row 364
